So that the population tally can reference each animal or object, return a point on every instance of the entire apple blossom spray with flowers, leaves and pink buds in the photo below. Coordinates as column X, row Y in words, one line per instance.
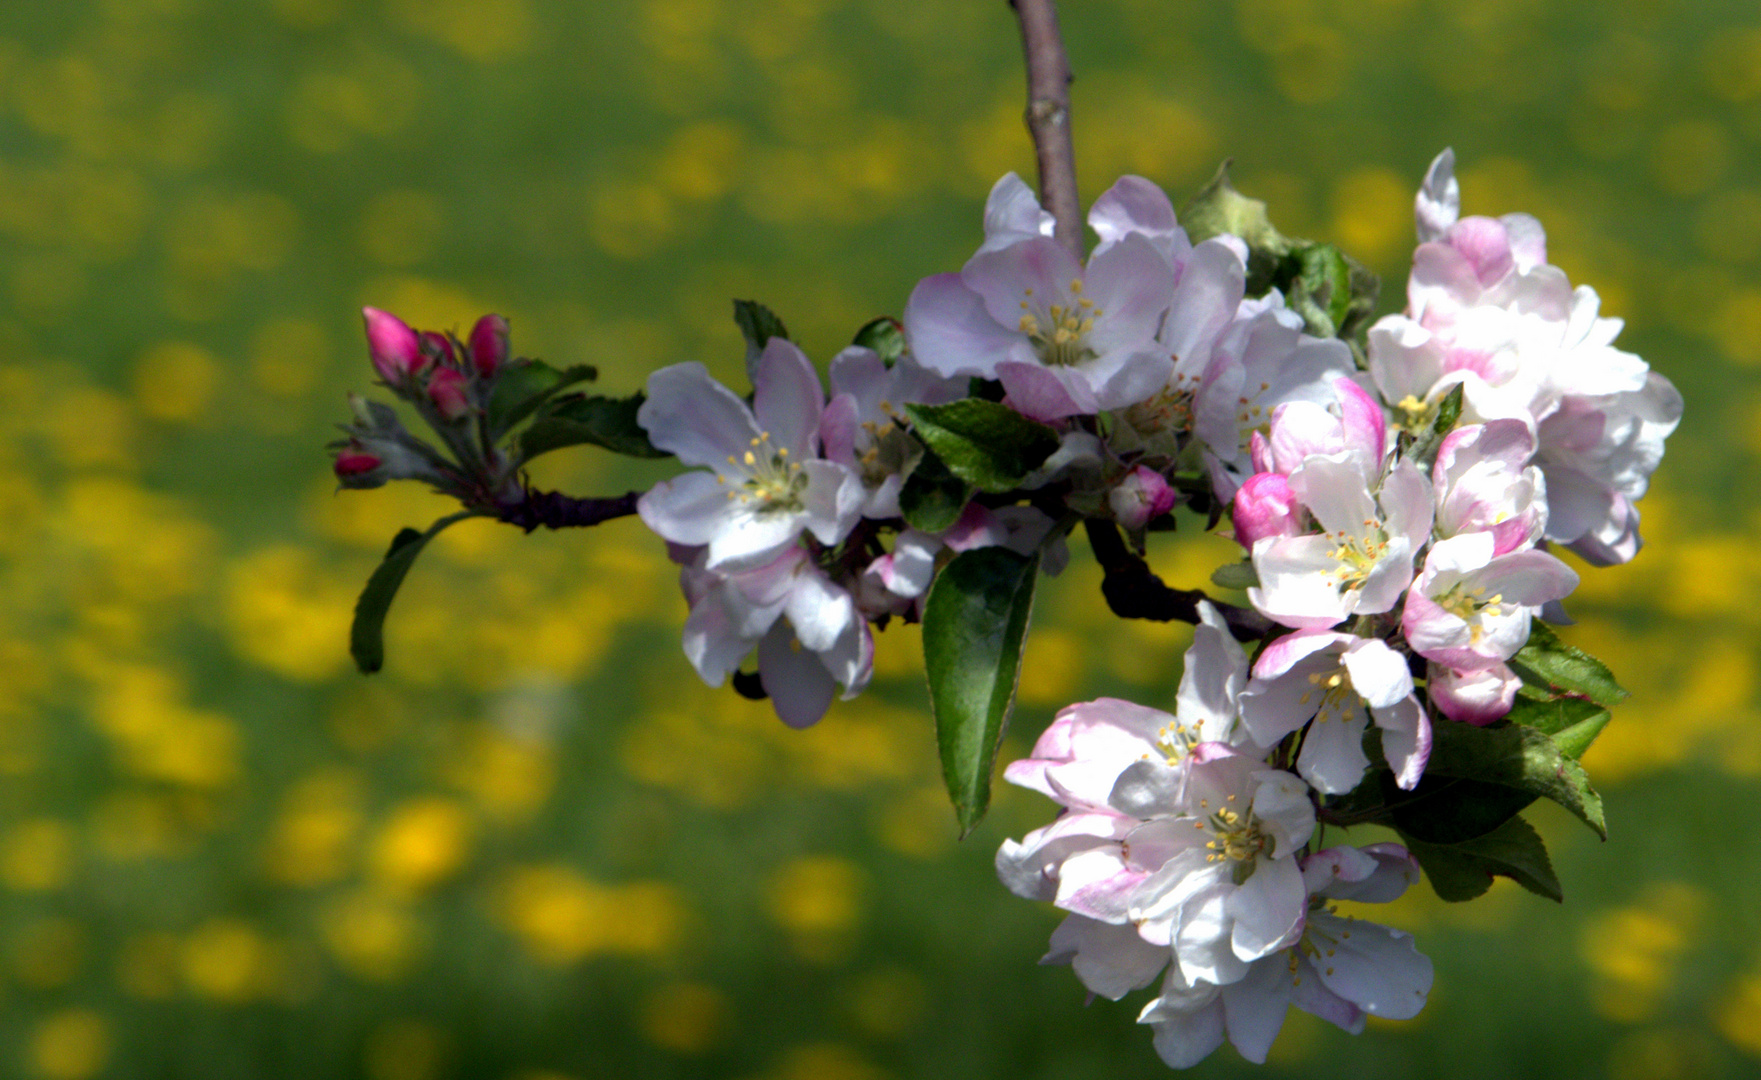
column 1397, row 492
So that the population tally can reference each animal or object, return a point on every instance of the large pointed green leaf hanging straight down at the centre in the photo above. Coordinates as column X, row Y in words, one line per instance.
column 975, row 625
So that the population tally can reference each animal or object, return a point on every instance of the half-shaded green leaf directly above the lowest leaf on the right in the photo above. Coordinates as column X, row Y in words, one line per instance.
column 1515, row 757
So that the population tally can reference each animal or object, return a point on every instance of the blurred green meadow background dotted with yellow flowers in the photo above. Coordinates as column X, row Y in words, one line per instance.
column 536, row 847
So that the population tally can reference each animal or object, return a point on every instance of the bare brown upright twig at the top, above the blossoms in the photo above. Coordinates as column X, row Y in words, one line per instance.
column 1049, row 117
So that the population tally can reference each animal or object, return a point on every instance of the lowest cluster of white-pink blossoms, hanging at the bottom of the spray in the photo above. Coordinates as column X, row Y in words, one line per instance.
column 1183, row 848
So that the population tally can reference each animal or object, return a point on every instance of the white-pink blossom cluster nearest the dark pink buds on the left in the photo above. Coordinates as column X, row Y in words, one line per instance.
column 779, row 535
